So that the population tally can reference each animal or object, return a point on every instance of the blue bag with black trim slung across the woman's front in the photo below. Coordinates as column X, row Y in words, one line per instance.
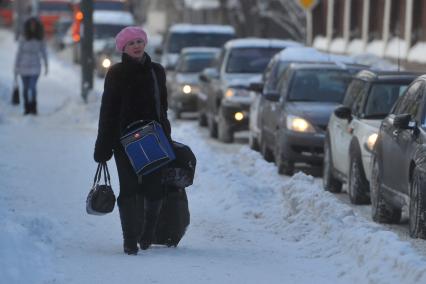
column 147, row 147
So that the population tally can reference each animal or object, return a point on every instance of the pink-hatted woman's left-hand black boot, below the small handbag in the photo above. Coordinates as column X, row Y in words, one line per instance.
column 128, row 218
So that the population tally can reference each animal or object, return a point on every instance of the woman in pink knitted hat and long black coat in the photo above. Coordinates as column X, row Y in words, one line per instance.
column 128, row 97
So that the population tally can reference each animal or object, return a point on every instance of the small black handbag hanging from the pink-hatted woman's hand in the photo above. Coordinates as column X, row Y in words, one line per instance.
column 101, row 198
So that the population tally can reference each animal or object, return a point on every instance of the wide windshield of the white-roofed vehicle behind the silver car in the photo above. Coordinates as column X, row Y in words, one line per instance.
column 177, row 41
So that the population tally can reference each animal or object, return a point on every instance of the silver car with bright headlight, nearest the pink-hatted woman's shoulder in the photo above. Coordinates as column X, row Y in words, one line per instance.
column 183, row 81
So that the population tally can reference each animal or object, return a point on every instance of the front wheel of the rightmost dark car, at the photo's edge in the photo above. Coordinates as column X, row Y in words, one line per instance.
column 417, row 207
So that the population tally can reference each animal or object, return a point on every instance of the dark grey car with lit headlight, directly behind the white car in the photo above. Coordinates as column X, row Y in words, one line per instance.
column 293, row 128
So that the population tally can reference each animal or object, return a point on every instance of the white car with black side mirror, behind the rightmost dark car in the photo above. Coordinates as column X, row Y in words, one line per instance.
column 353, row 127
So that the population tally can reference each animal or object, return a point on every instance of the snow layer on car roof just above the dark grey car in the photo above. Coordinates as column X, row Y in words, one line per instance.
column 303, row 53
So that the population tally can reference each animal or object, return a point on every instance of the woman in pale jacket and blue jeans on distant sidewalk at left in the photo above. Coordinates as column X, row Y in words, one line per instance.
column 31, row 50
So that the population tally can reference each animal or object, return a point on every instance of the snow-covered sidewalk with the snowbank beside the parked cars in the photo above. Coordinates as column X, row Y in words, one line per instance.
column 248, row 225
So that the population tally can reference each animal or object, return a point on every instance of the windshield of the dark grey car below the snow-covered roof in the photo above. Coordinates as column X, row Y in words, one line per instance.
column 319, row 85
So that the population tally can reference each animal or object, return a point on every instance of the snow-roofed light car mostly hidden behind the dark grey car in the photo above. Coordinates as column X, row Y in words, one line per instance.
column 270, row 78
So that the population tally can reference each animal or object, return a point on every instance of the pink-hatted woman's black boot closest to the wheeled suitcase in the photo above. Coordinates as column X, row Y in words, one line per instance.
column 151, row 212
